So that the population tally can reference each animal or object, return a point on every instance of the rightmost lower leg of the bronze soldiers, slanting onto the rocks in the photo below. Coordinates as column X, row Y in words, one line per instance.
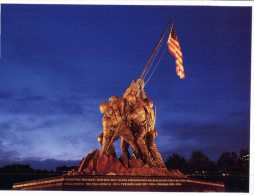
column 155, row 154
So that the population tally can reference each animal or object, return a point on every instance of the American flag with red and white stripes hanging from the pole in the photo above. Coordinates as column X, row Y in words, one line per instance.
column 175, row 49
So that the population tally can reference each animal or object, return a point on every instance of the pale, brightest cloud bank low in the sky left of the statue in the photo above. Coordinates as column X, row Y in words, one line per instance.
column 58, row 137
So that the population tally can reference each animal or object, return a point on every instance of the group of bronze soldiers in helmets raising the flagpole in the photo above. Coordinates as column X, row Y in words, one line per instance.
column 132, row 118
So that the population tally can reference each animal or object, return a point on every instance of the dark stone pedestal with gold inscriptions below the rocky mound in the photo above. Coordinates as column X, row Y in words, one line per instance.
column 121, row 183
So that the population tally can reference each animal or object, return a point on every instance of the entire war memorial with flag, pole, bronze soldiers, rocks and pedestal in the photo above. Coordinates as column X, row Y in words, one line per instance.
column 131, row 118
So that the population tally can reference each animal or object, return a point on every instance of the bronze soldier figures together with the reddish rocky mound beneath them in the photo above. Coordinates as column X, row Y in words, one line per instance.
column 131, row 118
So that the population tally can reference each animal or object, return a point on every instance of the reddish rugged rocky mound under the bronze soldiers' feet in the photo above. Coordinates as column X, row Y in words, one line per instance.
column 97, row 164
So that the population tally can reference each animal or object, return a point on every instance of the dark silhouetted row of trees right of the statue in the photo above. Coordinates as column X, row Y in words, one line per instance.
column 228, row 163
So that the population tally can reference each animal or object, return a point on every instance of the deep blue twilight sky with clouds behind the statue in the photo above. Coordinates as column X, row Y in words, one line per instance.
column 60, row 61
